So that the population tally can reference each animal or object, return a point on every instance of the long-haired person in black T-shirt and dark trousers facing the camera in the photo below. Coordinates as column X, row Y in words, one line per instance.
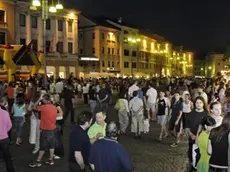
column 193, row 122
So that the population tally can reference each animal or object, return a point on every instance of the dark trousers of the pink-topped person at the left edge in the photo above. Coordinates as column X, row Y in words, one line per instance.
column 5, row 149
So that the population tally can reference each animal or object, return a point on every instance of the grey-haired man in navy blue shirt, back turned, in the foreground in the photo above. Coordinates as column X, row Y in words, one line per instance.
column 107, row 155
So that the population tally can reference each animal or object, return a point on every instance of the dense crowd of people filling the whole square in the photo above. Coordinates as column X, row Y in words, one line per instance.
column 195, row 108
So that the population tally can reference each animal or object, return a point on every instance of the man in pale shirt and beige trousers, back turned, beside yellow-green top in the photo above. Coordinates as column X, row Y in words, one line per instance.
column 137, row 111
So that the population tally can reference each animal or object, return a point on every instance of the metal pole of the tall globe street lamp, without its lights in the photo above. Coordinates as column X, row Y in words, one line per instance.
column 44, row 18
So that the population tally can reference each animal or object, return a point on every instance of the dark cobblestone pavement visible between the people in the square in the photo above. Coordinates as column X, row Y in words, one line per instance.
column 147, row 154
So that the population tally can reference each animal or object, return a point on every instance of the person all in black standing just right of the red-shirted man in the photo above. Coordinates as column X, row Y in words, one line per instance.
column 69, row 103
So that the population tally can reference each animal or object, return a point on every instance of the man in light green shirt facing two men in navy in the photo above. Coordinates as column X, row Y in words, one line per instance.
column 97, row 130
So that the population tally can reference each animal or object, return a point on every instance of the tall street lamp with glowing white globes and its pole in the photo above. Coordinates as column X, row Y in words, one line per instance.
column 52, row 9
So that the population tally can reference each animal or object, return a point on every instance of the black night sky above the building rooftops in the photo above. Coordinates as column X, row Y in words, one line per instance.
column 199, row 25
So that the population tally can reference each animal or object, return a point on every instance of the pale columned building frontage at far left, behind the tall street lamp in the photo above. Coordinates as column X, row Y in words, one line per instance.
column 61, row 35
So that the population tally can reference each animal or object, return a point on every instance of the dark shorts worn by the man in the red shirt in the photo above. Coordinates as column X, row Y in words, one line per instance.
column 47, row 139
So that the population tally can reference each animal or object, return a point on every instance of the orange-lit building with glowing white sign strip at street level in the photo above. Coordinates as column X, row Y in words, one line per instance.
column 99, row 46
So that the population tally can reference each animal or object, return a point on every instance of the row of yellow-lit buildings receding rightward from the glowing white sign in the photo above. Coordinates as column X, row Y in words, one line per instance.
column 125, row 50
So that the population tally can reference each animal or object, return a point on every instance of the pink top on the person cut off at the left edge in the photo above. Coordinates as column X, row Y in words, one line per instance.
column 5, row 124
